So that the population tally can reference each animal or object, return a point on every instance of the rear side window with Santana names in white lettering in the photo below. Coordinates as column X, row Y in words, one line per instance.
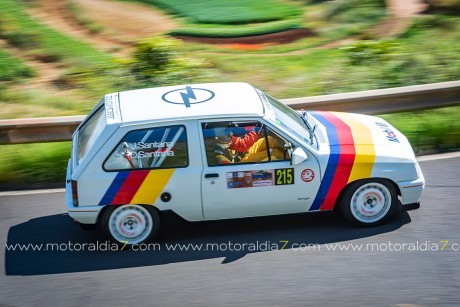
column 162, row 147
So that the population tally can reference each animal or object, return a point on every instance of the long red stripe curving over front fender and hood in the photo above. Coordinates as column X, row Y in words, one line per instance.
column 345, row 163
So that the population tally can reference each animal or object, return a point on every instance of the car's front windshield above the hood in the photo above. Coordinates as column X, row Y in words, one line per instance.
column 292, row 121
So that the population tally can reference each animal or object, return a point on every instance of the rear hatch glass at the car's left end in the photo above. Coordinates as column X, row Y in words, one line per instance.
column 90, row 132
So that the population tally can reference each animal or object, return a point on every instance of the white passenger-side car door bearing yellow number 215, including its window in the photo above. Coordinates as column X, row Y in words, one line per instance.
column 247, row 171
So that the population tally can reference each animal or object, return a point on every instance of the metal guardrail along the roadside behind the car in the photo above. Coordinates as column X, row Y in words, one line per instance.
column 400, row 99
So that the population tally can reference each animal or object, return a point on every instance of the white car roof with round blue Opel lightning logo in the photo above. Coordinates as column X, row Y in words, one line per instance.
column 209, row 100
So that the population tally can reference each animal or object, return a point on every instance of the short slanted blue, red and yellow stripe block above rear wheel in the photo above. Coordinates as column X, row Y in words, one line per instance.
column 136, row 187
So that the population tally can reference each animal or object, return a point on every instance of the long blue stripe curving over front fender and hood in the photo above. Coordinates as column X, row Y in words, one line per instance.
column 331, row 163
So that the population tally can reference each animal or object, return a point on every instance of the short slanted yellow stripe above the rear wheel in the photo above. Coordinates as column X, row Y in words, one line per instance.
column 152, row 186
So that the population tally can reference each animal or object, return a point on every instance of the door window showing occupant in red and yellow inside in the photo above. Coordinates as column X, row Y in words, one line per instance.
column 242, row 142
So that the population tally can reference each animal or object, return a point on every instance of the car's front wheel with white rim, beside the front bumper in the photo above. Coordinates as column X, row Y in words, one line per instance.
column 369, row 202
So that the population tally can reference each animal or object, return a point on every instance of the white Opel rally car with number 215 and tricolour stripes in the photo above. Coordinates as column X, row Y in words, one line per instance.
column 228, row 150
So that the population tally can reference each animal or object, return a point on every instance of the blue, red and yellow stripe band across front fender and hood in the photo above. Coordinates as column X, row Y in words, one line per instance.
column 347, row 161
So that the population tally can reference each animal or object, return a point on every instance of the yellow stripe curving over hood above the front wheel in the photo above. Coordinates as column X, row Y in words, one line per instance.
column 365, row 150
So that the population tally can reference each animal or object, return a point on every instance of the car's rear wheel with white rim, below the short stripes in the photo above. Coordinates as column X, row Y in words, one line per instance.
column 130, row 224
